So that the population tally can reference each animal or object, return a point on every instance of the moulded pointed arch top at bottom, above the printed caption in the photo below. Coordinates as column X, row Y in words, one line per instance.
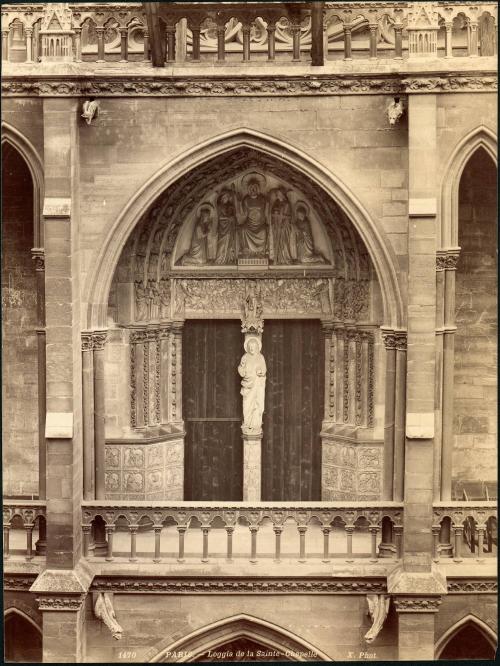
column 270, row 635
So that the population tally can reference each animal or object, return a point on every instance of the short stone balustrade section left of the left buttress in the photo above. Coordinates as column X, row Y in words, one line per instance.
column 28, row 516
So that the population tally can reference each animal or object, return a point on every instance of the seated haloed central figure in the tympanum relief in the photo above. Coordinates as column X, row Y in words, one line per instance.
column 252, row 232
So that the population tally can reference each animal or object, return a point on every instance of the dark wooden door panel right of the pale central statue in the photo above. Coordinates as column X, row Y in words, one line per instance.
column 291, row 446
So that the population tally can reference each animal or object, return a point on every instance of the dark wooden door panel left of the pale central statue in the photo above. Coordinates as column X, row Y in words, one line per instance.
column 213, row 466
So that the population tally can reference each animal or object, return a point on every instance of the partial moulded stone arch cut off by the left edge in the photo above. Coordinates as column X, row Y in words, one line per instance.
column 12, row 136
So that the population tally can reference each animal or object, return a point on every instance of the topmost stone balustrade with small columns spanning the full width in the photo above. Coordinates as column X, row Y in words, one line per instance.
column 208, row 32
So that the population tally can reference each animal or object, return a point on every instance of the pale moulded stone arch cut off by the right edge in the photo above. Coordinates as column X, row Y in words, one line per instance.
column 481, row 136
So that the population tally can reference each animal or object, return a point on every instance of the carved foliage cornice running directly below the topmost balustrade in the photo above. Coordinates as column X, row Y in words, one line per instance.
column 145, row 85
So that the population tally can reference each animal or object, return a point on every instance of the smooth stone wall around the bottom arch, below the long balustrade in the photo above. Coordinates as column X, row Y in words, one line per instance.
column 334, row 624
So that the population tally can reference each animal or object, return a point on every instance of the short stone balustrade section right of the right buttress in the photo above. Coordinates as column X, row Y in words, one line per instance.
column 464, row 529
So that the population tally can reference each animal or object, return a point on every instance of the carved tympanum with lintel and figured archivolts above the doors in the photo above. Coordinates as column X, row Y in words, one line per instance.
column 242, row 215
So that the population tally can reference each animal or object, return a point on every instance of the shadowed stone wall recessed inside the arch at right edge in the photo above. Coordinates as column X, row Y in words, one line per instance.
column 475, row 393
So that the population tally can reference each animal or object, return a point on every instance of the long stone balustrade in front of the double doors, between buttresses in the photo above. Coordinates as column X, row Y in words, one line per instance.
column 194, row 531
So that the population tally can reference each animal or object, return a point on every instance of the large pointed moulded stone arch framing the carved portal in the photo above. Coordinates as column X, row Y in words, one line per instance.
column 380, row 251
